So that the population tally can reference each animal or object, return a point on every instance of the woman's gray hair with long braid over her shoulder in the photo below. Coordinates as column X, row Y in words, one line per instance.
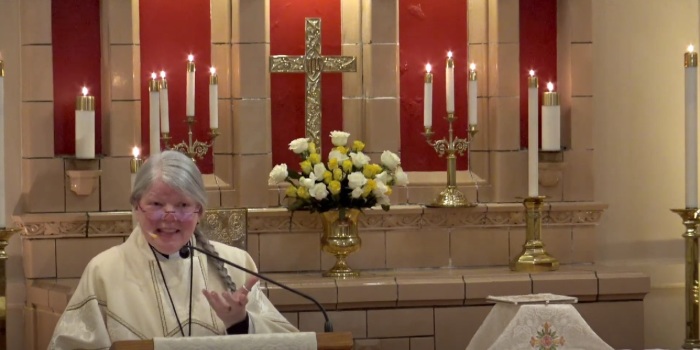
column 179, row 172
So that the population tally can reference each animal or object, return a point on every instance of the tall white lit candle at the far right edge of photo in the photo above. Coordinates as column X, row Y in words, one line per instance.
column 691, row 126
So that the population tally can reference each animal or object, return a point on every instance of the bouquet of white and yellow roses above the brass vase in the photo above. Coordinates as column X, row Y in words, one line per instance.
column 348, row 180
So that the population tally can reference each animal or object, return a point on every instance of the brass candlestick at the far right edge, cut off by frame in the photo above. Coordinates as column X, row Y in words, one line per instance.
column 692, row 283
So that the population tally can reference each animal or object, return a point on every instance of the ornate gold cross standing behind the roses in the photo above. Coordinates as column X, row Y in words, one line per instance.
column 313, row 64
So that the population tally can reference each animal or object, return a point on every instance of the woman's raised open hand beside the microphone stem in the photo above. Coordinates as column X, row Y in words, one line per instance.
column 230, row 306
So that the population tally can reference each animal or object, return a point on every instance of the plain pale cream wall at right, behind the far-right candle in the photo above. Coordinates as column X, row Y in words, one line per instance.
column 639, row 141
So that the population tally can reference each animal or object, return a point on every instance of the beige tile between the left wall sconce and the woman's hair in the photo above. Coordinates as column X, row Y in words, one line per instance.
column 115, row 183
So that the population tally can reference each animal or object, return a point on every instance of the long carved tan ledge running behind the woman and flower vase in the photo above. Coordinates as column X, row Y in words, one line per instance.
column 278, row 220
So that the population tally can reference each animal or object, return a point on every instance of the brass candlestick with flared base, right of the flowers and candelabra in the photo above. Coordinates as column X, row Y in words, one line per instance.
column 534, row 258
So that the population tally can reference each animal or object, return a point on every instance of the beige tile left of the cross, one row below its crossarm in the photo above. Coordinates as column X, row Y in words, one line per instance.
column 252, row 125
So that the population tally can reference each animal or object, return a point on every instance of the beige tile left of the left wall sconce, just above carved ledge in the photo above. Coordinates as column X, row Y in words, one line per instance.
column 43, row 185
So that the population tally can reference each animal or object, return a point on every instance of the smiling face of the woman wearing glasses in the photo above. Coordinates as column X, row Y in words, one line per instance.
column 167, row 217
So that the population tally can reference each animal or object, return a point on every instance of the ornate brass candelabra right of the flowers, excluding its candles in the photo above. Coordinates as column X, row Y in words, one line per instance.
column 451, row 196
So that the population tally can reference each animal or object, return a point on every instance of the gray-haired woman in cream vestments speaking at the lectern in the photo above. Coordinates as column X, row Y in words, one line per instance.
column 145, row 288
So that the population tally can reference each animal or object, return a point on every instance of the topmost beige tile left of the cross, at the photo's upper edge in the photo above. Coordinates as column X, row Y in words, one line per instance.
column 250, row 21
